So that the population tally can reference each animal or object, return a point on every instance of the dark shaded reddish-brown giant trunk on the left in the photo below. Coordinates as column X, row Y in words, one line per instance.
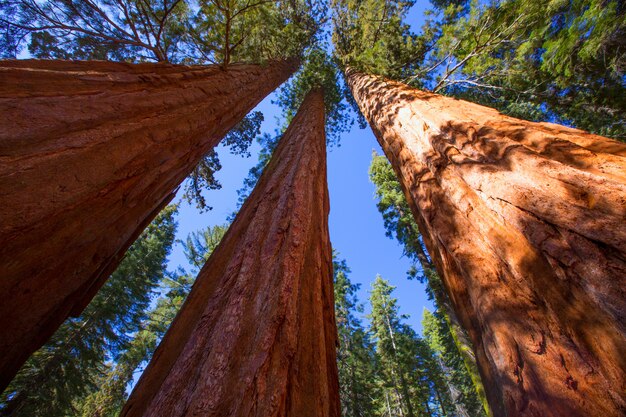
column 89, row 154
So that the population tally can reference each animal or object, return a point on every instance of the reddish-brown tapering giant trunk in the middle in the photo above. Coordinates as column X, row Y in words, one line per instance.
column 257, row 336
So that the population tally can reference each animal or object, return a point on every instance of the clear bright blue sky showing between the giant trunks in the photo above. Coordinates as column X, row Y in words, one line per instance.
column 356, row 226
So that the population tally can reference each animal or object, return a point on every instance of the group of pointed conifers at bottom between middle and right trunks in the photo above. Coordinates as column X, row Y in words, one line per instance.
column 386, row 368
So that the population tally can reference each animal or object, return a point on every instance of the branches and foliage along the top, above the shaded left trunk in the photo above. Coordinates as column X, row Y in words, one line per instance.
column 179, row 31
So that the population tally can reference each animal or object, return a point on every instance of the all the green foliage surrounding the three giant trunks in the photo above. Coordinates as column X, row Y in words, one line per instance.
column 557, row 61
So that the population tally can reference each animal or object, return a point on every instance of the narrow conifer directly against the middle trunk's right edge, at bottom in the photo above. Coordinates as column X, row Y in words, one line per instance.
column 356, row 355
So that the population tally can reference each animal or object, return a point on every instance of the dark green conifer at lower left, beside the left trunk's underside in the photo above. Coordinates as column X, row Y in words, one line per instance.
column 68, row 367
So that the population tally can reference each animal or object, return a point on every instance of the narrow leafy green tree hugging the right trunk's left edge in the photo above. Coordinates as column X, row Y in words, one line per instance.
column 399, row 223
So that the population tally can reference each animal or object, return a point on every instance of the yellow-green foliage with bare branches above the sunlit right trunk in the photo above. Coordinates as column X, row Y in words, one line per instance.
column 561, row 61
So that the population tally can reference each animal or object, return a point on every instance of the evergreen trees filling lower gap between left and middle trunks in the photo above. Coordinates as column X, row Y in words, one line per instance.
column 86, row 367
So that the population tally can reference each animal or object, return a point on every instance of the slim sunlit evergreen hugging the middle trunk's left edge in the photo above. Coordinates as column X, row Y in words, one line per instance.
column 110, row 396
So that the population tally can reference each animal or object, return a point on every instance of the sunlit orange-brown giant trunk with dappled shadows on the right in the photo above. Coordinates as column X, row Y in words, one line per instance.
column 526, row 224
